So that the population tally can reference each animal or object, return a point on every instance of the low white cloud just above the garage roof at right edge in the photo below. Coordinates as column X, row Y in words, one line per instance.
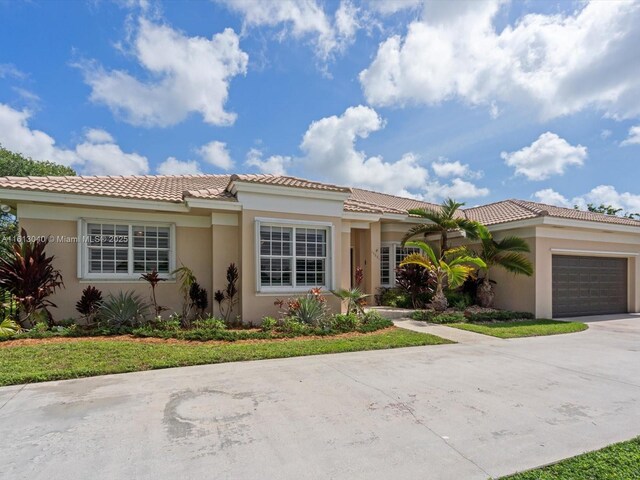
column 600, row 195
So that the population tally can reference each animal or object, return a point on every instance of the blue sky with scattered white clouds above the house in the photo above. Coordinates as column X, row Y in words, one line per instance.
column 477, row 100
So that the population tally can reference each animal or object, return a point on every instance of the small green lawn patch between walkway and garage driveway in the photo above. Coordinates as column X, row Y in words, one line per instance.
column 521, row 328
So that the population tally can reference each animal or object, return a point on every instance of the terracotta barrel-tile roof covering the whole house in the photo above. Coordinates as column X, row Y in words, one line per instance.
column 175, row 188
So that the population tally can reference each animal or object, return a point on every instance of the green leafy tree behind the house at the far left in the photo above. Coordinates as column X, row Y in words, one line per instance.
column 13, row 164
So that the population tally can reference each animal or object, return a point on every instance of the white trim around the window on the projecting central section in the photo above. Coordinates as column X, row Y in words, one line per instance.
column 280, row 222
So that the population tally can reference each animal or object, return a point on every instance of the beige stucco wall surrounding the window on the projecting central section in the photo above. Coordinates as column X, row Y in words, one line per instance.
column 256, row 305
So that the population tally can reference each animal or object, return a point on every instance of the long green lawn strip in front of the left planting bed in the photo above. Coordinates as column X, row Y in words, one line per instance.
column 85, row 358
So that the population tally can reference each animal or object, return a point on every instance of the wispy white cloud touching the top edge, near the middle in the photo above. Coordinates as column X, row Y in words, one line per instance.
column 302, row 18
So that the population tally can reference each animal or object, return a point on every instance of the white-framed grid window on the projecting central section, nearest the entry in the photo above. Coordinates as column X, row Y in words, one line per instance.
column 293, row 256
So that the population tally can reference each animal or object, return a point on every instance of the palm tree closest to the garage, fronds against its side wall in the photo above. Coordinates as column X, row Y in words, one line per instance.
column 507, row 254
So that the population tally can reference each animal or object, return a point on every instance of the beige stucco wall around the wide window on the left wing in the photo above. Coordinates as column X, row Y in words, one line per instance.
column 193, row 249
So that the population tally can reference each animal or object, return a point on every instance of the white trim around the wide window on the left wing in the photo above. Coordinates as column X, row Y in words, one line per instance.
column 83, row 250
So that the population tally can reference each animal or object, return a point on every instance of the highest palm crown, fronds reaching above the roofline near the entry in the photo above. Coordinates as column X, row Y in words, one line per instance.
column 444, row 221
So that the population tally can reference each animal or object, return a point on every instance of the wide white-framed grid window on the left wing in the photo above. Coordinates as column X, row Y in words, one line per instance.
column 125, row 250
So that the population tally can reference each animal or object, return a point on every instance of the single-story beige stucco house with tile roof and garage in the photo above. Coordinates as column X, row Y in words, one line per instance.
column 288, row 235
